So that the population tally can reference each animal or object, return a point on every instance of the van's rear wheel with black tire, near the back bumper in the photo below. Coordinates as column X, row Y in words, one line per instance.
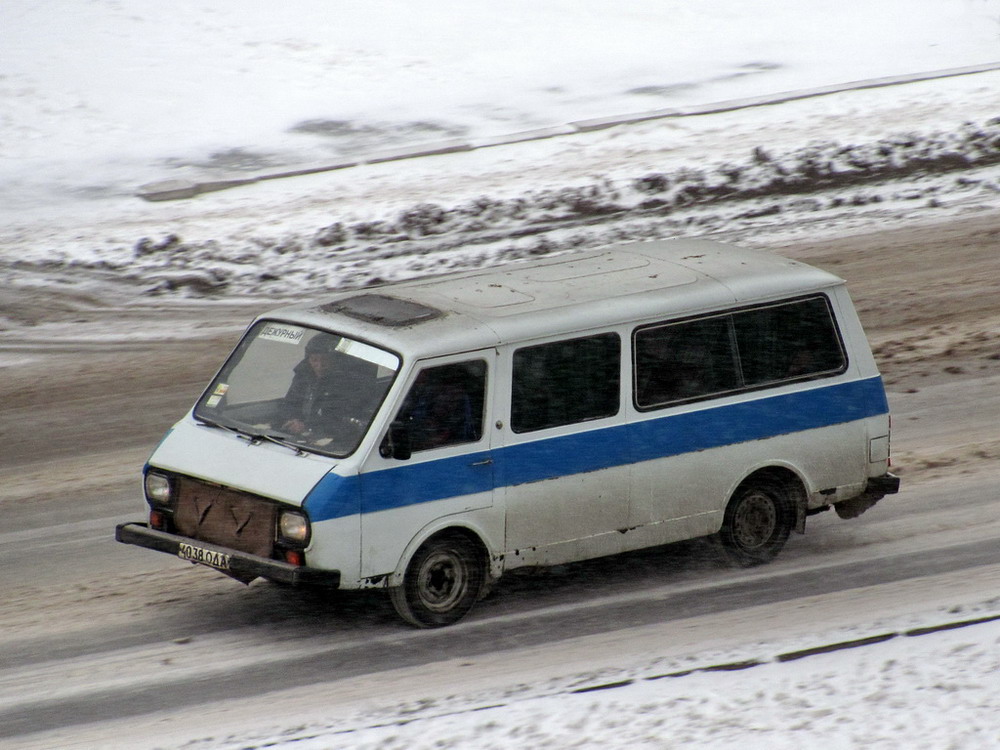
column 758, row 520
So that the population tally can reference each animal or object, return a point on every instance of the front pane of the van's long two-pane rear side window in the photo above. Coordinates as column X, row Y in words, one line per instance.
column 684, row 361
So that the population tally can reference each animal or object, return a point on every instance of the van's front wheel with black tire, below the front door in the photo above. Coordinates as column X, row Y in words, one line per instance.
column 442, row 582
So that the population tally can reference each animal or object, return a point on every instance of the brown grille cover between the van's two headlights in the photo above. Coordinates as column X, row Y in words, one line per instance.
column 225, row 517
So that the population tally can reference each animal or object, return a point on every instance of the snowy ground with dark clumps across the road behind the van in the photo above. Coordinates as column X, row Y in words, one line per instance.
column 102, row 98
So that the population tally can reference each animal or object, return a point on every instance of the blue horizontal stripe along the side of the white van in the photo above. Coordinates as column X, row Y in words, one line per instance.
column 565, row 455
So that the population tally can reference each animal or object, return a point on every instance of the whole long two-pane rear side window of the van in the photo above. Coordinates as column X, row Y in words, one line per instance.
column 742, row 350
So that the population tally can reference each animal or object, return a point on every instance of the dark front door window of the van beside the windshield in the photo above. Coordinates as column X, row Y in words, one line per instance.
column 445, row 405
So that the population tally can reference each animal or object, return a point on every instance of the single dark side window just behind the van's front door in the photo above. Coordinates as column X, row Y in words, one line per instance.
column 565, row 382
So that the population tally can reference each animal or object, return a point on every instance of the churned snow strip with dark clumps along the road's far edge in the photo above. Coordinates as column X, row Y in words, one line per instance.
column 434, row 238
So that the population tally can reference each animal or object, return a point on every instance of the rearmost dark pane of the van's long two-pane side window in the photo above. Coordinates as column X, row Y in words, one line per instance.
column 788, row 341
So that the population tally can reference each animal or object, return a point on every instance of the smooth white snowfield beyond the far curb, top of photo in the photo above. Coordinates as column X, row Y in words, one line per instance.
column 102, row 93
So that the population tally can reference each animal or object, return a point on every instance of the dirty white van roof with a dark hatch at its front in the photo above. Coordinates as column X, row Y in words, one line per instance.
column 636, row 282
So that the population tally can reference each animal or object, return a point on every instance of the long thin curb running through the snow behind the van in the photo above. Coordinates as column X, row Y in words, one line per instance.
column 178, row 189
